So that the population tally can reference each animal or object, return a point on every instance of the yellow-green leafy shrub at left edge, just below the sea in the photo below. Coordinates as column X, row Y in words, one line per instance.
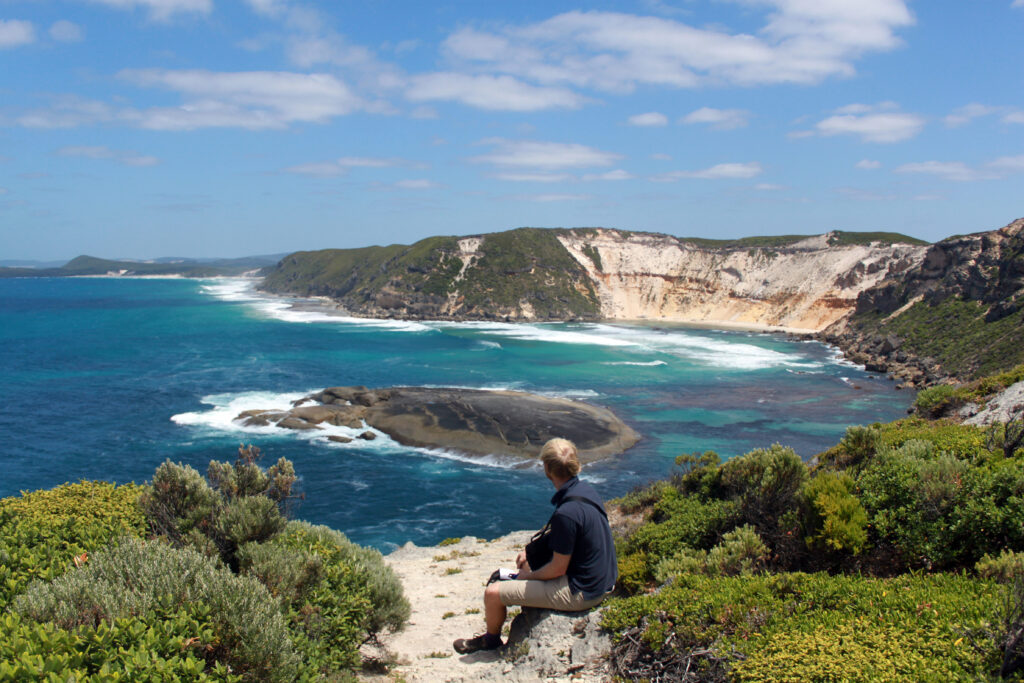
column 42, row 533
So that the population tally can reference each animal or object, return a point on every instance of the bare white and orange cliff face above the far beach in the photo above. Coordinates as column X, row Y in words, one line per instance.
column 804, row 287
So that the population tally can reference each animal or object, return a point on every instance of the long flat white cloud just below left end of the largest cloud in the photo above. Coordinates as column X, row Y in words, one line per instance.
column 491, row 93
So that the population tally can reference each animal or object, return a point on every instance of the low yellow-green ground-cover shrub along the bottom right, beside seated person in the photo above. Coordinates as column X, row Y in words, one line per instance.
column 771, row 627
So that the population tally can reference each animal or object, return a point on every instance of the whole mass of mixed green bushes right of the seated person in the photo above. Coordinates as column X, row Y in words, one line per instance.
column 899, row 557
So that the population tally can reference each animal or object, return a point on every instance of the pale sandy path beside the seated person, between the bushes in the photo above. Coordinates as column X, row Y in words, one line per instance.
column 445, row 585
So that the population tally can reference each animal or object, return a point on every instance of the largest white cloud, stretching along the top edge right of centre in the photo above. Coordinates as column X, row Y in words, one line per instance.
column 801, row 41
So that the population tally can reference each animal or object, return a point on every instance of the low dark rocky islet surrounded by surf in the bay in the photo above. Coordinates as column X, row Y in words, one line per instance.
column 473, row 421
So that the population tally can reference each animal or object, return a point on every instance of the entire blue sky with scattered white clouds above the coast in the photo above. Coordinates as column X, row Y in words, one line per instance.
column 147, row 129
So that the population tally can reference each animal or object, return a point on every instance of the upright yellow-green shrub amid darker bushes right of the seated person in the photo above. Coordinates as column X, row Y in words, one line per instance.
column 835, row 521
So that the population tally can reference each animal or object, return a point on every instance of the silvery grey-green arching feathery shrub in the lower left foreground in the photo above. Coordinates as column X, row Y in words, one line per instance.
column 140, row 579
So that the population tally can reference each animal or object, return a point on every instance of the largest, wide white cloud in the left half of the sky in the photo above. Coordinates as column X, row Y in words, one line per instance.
column 243, row 100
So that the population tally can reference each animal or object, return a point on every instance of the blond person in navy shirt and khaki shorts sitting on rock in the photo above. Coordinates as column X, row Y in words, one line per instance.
column 583, row 569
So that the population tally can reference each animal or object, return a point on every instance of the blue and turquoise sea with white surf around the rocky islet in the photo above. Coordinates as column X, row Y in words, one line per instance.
column 105, row 379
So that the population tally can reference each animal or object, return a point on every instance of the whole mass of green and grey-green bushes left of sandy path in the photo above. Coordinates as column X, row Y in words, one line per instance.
column 191, row 578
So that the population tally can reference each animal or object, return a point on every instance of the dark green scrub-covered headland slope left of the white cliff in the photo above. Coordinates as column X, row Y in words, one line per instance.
column 517, row 267
